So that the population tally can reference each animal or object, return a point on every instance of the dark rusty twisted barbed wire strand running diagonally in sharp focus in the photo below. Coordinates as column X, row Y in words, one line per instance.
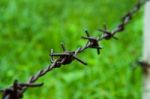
column 66, row 57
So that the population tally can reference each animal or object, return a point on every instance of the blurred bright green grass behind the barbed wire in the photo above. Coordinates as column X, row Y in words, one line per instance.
column 30, row 28
